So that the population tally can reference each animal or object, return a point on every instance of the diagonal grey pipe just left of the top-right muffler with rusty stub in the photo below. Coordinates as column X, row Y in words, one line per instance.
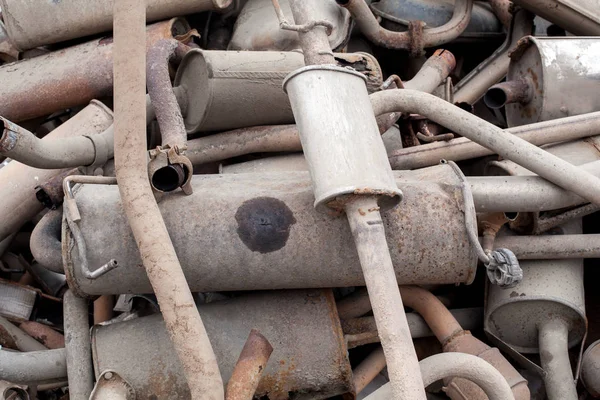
column 473, row 86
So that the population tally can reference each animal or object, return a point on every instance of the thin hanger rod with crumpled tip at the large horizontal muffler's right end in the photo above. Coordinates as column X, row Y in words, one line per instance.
column 502, row 266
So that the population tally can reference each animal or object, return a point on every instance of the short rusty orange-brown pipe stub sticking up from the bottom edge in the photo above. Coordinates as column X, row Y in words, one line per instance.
column 249, row 368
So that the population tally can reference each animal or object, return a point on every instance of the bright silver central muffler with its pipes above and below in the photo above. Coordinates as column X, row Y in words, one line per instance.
column 350, row 172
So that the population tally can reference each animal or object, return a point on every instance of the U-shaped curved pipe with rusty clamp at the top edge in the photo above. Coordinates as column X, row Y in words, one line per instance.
column 416, row 38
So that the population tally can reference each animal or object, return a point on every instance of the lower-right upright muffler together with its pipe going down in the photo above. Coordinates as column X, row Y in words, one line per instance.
column 544, row 313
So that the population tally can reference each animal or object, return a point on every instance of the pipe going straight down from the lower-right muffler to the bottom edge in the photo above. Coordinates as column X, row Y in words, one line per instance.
column 554, row 355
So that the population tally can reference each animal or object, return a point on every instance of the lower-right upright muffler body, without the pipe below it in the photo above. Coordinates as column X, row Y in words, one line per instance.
column 550, row 288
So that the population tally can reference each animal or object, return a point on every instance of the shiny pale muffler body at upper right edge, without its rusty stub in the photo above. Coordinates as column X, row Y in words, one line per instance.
column 562, row 74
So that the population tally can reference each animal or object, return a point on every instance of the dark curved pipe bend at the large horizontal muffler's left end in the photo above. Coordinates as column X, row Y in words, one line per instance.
column 45, row 243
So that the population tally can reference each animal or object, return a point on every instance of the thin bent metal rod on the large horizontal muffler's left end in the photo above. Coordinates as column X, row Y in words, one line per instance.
column 72, row 216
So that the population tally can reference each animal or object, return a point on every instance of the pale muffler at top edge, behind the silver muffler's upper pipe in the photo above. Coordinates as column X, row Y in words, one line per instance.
column 257, row 27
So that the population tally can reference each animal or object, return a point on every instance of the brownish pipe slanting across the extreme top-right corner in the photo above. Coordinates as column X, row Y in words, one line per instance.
column 579, row 17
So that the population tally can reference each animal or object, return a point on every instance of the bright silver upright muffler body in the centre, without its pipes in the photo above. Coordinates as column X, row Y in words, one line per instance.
column 339, row 135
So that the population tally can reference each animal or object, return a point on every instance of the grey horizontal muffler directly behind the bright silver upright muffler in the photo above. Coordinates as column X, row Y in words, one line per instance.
column 235, row 89
